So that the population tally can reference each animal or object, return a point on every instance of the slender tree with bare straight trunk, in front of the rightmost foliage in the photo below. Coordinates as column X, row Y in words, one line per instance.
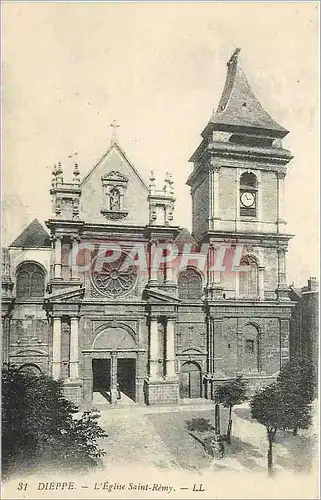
column 266, row 408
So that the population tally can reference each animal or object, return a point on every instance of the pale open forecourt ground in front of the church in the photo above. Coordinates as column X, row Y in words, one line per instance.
column 158, row 437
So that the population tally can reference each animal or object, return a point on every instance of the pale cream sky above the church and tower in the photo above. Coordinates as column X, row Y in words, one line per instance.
column 70, row 69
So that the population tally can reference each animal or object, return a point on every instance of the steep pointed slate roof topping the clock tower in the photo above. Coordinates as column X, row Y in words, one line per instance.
column 239, row 108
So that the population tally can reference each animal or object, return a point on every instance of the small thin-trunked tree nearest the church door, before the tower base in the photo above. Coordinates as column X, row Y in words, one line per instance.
column 229, row 394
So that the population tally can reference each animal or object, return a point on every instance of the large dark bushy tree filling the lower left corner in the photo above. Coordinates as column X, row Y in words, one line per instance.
column 39, row 426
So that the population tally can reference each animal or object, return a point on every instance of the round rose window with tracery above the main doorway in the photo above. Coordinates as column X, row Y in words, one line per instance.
column 116, row 278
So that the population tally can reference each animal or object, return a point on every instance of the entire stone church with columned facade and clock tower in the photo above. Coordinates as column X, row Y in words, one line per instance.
column 158, row 333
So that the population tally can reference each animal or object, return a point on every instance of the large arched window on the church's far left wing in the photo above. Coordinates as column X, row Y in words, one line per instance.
column 30, row 281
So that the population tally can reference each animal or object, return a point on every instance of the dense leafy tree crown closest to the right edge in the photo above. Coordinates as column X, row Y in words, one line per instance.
column 297, row 385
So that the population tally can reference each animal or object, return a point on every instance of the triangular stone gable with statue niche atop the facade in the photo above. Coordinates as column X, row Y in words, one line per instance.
column 114, row 171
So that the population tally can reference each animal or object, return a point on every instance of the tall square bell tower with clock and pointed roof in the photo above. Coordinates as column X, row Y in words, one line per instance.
column 237, row 189
